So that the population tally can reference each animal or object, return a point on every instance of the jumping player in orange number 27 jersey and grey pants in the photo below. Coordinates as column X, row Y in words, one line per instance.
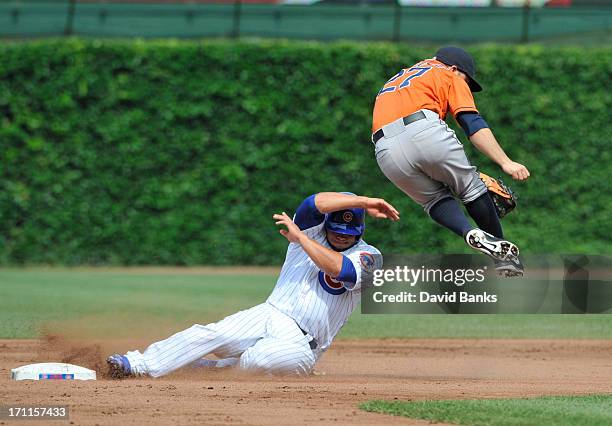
column 417, row 151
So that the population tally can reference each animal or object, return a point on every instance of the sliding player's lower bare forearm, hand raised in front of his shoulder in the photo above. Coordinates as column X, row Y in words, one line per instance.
column 326, row 260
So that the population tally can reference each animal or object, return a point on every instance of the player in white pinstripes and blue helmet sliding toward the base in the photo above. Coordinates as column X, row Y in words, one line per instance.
column 318, row 288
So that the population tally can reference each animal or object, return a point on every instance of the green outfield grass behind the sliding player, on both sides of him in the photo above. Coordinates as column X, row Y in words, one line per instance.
column 99, row 303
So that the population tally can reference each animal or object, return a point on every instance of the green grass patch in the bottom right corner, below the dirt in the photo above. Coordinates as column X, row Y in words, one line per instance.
column 559, row 411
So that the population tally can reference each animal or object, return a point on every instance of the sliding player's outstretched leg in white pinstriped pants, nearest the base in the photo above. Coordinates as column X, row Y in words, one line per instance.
column 229, row 337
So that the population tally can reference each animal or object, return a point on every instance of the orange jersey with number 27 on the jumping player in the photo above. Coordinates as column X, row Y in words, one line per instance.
column 431, row 85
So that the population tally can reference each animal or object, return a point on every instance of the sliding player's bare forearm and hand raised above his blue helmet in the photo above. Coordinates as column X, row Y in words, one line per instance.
column 327, row 202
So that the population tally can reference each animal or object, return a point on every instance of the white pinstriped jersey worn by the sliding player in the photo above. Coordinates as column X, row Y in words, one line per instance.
column 319, row 304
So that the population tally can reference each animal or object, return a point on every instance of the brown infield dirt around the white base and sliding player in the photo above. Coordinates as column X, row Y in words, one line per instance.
column 353, row 371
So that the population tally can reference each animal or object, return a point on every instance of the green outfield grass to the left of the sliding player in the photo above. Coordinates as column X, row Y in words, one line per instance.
column 97, row 302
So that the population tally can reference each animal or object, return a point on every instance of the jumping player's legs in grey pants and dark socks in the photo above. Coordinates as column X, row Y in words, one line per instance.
column 429, row 164
